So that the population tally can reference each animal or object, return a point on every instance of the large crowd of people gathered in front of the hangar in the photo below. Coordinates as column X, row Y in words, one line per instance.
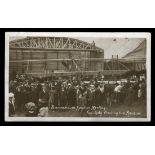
column 35, row 97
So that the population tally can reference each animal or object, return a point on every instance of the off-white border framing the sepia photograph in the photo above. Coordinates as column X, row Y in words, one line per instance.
column 146, row 35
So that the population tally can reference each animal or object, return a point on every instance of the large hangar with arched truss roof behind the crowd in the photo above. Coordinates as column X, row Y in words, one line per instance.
column 48, row 56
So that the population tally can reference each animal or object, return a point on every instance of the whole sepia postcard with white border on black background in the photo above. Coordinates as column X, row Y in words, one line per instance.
column 66, row 76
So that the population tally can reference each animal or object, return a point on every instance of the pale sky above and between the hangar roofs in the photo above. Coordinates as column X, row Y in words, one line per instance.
column 111, row 46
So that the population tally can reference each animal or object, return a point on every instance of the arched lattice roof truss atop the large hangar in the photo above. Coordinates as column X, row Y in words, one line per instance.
column 53, row 43
